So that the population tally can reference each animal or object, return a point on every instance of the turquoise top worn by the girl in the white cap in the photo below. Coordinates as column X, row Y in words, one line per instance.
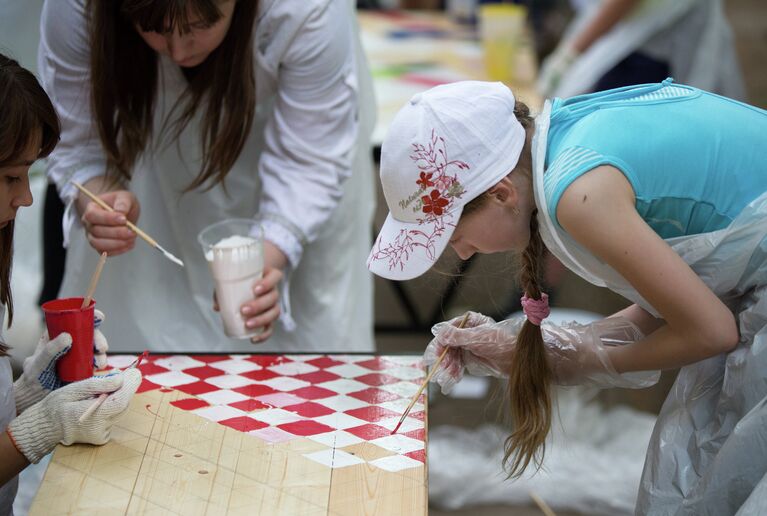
column 694, row 159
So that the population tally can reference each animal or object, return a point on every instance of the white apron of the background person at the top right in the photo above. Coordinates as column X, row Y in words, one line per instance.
column 692, row 36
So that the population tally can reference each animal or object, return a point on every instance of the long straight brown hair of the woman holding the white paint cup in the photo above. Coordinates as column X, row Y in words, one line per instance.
column 124, row 82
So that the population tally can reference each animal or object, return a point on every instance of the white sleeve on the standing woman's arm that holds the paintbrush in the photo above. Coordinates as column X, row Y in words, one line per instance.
column 64, row 66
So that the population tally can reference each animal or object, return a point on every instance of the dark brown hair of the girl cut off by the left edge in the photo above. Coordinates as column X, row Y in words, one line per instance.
column 26, row 113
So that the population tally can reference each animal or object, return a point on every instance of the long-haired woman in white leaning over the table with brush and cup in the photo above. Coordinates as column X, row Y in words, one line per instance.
column 192, row 111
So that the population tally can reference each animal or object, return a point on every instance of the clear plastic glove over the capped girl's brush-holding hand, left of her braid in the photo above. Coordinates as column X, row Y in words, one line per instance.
column 481, row 347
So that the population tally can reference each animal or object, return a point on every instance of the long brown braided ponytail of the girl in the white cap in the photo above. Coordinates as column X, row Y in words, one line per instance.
column 529, row 385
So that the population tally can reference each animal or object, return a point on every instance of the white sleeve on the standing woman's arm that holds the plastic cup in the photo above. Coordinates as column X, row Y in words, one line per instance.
column 309, row 138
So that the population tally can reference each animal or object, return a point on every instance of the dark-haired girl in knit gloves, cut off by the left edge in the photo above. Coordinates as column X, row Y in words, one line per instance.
column 35, row 414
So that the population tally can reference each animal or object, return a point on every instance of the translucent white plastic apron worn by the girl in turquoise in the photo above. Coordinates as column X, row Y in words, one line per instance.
column 708, row 451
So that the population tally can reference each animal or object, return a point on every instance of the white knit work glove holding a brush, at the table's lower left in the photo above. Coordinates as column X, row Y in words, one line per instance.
column 55, row 419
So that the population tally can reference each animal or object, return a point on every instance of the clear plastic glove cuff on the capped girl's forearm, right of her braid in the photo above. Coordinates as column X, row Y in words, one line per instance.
column 577, row 353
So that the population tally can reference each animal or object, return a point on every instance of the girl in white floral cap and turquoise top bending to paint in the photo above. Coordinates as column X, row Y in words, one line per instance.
column 658, row 192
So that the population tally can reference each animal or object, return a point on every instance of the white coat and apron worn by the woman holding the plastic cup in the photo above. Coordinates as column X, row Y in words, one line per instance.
column 305, row 170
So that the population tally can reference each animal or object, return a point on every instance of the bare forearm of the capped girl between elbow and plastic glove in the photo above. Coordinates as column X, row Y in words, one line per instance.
column 662, row 349
